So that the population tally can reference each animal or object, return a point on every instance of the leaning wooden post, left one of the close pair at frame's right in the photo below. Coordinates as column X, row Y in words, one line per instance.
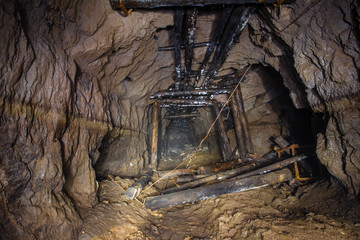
column 238, row 128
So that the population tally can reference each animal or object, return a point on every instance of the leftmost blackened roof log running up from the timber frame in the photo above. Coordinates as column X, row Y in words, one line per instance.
column 178, row 23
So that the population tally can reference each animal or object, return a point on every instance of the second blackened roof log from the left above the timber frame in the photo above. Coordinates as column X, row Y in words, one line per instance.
column 190, row 25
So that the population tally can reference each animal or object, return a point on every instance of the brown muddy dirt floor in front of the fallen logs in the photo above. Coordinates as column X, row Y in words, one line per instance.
column 318, row 210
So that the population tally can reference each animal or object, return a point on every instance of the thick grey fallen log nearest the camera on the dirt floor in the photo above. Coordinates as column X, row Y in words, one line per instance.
column 206, row 192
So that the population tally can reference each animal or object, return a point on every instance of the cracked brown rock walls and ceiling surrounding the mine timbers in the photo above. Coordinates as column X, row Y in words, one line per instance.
column 75, row 82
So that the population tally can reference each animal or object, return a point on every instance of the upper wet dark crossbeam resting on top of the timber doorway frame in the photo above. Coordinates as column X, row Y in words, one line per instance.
column 194, row 92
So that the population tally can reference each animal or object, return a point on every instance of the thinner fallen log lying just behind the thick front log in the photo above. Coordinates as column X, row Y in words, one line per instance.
column 240, row 172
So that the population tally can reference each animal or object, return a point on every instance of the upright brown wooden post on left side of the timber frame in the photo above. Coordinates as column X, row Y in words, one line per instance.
column 155, row 136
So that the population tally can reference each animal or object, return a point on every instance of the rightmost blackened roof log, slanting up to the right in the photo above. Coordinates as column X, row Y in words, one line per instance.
column 236, row 24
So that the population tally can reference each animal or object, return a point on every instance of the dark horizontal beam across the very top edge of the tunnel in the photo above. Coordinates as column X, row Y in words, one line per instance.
column 183, row 3
